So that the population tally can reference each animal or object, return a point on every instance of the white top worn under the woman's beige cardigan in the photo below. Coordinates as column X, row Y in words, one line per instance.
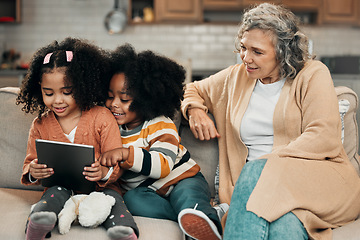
column 256, row 130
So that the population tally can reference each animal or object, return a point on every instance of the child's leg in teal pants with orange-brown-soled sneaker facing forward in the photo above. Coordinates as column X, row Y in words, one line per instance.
column 202, row 222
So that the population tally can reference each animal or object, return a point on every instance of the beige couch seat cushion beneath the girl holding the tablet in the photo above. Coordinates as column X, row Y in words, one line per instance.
column 15, row 208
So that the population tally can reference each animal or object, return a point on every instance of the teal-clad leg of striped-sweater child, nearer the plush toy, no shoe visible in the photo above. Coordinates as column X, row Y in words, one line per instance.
column 141, row 201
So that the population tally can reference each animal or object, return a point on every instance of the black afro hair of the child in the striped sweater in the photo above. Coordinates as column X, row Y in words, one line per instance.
column 155, row 82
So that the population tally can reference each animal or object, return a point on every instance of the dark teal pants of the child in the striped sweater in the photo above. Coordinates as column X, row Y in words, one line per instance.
column 143, row 201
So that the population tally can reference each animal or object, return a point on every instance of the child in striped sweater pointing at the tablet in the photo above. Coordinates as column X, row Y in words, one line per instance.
column 161, row 179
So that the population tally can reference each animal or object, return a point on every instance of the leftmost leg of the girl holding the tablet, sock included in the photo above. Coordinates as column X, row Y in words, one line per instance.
column 43, row 216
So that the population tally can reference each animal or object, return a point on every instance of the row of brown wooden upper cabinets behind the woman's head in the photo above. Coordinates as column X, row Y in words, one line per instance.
column 229, row 11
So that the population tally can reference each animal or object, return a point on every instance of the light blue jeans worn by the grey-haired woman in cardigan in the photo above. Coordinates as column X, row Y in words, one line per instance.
column 243, row 224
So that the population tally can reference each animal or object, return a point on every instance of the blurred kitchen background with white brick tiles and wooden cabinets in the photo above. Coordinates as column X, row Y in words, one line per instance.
column 197, row 33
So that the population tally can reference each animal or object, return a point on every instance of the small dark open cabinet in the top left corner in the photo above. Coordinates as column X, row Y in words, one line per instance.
column 10, row 11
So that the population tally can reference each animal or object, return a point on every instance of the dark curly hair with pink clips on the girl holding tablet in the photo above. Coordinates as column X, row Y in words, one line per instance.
column 84, row 73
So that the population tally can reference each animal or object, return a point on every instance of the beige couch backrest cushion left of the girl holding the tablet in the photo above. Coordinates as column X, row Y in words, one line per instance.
column 14, row 129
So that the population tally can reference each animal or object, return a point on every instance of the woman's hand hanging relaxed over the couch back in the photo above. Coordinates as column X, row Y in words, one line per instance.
column 201, row 125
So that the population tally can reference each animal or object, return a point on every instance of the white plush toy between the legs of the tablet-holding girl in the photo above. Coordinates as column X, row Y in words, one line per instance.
column 92, row 210
